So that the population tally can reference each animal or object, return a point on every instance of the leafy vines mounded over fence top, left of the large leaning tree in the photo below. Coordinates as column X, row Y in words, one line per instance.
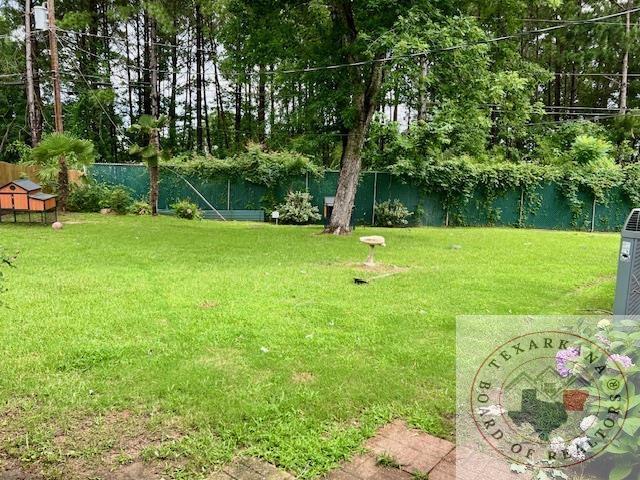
column 255, row 165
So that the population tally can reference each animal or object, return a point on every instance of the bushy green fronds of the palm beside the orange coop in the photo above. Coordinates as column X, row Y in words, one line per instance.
column 78, row 154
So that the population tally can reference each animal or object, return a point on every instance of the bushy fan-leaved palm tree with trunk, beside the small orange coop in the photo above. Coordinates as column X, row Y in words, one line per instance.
column 51, row 170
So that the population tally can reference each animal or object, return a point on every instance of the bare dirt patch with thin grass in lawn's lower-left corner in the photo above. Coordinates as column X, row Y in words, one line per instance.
column 108, row 446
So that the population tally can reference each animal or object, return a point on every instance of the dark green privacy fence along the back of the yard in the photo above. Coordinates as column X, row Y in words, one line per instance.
column 544, row 208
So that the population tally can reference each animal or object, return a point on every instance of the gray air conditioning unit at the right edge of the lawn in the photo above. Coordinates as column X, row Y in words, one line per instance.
column 628, row 283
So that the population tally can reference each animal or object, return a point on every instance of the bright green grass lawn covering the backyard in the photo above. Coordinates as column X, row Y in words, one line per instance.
column 185, row 343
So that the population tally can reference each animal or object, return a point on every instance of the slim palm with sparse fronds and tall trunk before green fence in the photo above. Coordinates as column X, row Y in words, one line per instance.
column 150, row 152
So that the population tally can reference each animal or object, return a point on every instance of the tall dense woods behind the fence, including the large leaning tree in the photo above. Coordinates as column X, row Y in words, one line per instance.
column 351, row 84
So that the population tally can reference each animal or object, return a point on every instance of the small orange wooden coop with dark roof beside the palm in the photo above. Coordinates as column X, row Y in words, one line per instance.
column 25, row 196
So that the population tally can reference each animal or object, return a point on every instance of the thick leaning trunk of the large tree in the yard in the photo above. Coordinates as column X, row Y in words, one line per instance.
column 366, row 105
